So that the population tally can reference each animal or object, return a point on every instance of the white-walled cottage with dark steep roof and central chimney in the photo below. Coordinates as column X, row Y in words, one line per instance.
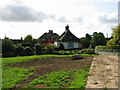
column 69, row 40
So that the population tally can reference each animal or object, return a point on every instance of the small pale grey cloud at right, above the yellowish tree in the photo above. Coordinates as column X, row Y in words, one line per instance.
column 104, row 19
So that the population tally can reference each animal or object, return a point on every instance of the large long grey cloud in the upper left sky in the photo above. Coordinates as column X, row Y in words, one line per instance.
column 21, row 13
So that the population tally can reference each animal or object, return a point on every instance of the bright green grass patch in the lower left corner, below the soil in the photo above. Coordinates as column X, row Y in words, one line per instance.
column 13, row 76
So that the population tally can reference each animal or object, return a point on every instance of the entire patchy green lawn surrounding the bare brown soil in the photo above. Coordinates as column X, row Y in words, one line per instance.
column 14, row 75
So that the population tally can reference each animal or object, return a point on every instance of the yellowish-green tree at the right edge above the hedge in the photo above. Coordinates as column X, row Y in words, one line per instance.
column 116, row 37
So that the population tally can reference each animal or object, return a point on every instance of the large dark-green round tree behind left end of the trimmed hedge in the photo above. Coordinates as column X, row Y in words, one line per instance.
column 98, row 39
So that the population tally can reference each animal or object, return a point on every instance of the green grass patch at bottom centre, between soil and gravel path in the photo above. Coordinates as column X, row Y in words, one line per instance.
column 62, row 79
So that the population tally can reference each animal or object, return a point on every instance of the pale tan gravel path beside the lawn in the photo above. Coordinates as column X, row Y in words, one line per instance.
column 104, row 72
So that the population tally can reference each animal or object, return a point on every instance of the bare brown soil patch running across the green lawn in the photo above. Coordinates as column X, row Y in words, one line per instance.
column 47, row 65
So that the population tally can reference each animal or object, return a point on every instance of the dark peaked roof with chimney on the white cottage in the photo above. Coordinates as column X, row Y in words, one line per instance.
column 68, row 36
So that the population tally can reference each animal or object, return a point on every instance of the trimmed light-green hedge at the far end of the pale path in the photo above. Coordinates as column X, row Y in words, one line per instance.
column 113, row 48
